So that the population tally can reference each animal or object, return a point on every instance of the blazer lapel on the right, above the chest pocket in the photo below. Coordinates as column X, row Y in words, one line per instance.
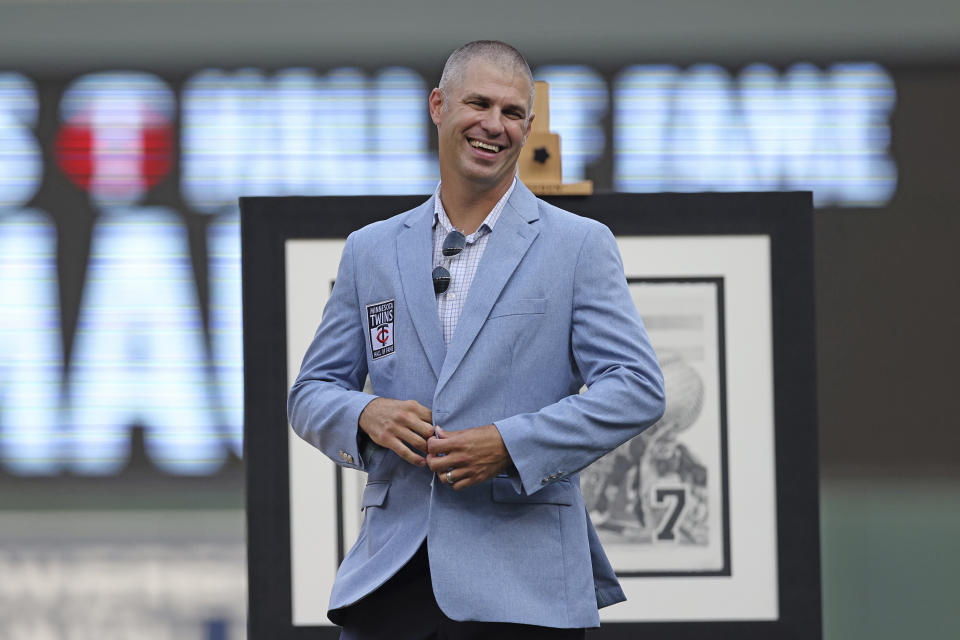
column 511, row 237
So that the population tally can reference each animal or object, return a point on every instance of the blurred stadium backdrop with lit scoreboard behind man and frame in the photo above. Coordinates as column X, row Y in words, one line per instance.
column 128, row 128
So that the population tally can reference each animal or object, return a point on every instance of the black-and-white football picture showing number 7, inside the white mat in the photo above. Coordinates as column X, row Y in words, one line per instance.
column 660, row 501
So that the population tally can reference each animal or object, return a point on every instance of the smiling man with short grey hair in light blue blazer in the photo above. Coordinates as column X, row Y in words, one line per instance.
column 478, row 316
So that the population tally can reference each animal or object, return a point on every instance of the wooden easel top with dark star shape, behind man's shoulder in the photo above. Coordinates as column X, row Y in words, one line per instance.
column 540, row 167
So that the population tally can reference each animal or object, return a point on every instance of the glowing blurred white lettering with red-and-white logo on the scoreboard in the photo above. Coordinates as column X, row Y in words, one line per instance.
column 147, row 351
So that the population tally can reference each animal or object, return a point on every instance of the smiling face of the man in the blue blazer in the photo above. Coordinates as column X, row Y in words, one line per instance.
column 482, row 124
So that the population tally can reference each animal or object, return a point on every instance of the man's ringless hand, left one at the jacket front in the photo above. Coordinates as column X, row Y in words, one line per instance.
column 396, row 423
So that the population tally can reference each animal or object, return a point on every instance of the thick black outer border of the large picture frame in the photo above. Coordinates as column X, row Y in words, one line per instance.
column 267, row 223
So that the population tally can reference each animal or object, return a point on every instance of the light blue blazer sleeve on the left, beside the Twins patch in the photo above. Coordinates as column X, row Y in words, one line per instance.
column 326, row 400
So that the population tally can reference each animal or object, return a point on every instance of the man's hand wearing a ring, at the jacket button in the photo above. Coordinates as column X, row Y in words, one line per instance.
column 471, row 456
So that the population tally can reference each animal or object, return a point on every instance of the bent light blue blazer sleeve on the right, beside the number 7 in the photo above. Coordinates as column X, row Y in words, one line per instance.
column 611, row 349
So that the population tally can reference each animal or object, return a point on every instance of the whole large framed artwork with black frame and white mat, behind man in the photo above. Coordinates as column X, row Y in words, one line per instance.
column 709, row 517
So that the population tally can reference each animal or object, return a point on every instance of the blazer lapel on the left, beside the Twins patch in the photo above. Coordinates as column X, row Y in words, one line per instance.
column 414, row 257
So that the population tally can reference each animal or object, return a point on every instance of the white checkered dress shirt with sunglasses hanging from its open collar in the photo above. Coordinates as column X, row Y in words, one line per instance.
column 463, row 266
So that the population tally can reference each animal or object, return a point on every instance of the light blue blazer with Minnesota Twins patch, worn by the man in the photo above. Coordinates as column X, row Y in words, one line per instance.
column 548, row 311
